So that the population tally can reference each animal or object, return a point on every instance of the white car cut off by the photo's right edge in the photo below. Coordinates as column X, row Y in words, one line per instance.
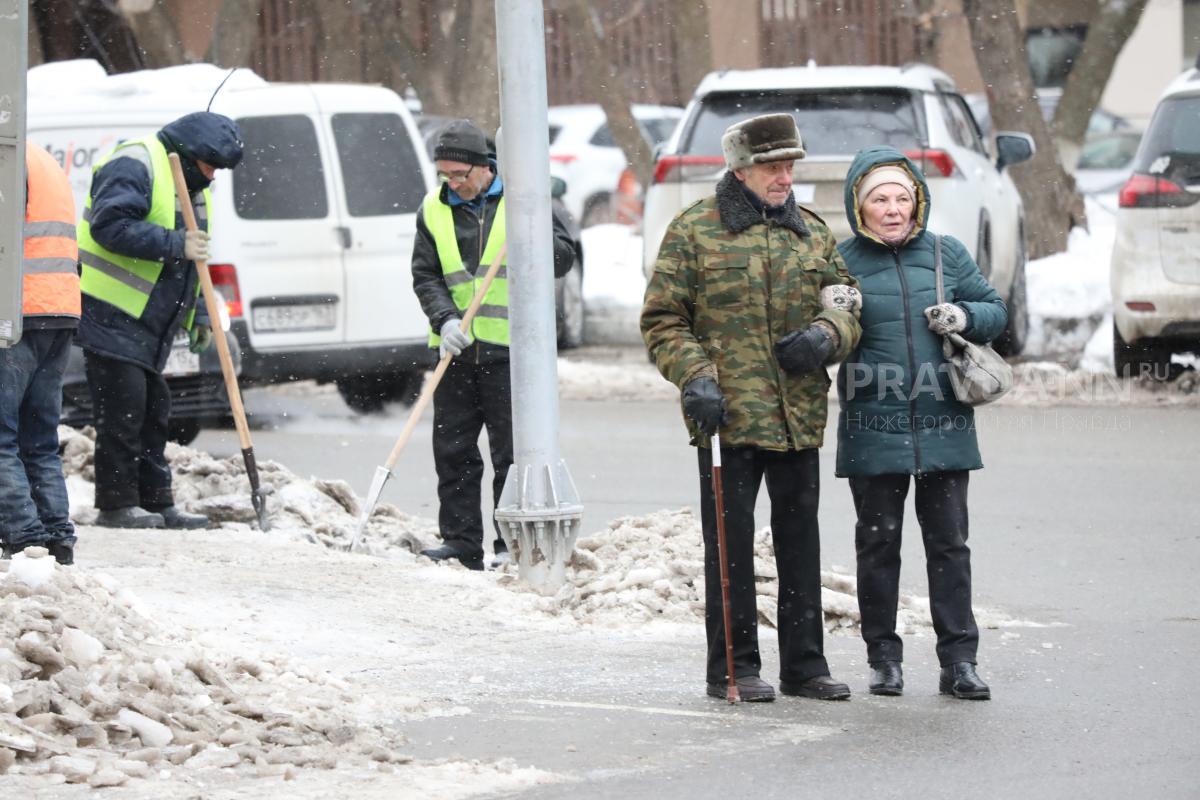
column 1156, row 258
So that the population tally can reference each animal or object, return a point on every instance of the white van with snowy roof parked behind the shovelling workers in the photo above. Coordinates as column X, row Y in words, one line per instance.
column 313, row 233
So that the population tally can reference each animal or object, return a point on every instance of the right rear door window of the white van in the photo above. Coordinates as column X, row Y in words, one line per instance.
column 380, row 166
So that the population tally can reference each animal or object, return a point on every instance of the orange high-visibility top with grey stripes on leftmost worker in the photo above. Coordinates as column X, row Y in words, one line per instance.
column 51, row 276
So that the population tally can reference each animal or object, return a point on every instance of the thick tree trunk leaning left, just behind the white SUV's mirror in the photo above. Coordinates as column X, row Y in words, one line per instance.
column 1052, row 203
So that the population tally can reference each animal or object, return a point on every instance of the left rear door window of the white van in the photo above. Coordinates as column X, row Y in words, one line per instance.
column 281, row 176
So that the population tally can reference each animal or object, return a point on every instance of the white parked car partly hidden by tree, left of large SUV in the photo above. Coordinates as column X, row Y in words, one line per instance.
column 584, row 153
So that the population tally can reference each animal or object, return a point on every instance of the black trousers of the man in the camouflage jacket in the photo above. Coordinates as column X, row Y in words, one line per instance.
column 794, row 484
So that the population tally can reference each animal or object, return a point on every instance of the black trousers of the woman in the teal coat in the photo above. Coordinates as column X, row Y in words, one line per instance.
column 943, row 514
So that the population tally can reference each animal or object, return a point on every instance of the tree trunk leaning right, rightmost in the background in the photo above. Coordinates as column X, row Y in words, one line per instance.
column 1107, row 35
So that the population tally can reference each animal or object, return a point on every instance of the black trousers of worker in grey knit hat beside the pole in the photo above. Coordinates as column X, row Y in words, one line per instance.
column 470, row 398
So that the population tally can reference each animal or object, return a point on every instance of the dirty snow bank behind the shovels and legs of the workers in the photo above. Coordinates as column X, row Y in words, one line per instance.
column 325, row 513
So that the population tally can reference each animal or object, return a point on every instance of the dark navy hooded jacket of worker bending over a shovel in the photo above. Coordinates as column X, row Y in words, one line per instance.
column 121, row 203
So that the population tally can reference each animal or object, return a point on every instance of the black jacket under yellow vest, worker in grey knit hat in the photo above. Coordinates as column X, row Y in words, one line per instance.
column 472, row 230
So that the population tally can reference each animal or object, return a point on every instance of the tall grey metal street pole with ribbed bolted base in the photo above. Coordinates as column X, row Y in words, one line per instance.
column 539, row 512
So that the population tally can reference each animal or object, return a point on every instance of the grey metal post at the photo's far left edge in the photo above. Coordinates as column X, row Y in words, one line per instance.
column 14, row 64
